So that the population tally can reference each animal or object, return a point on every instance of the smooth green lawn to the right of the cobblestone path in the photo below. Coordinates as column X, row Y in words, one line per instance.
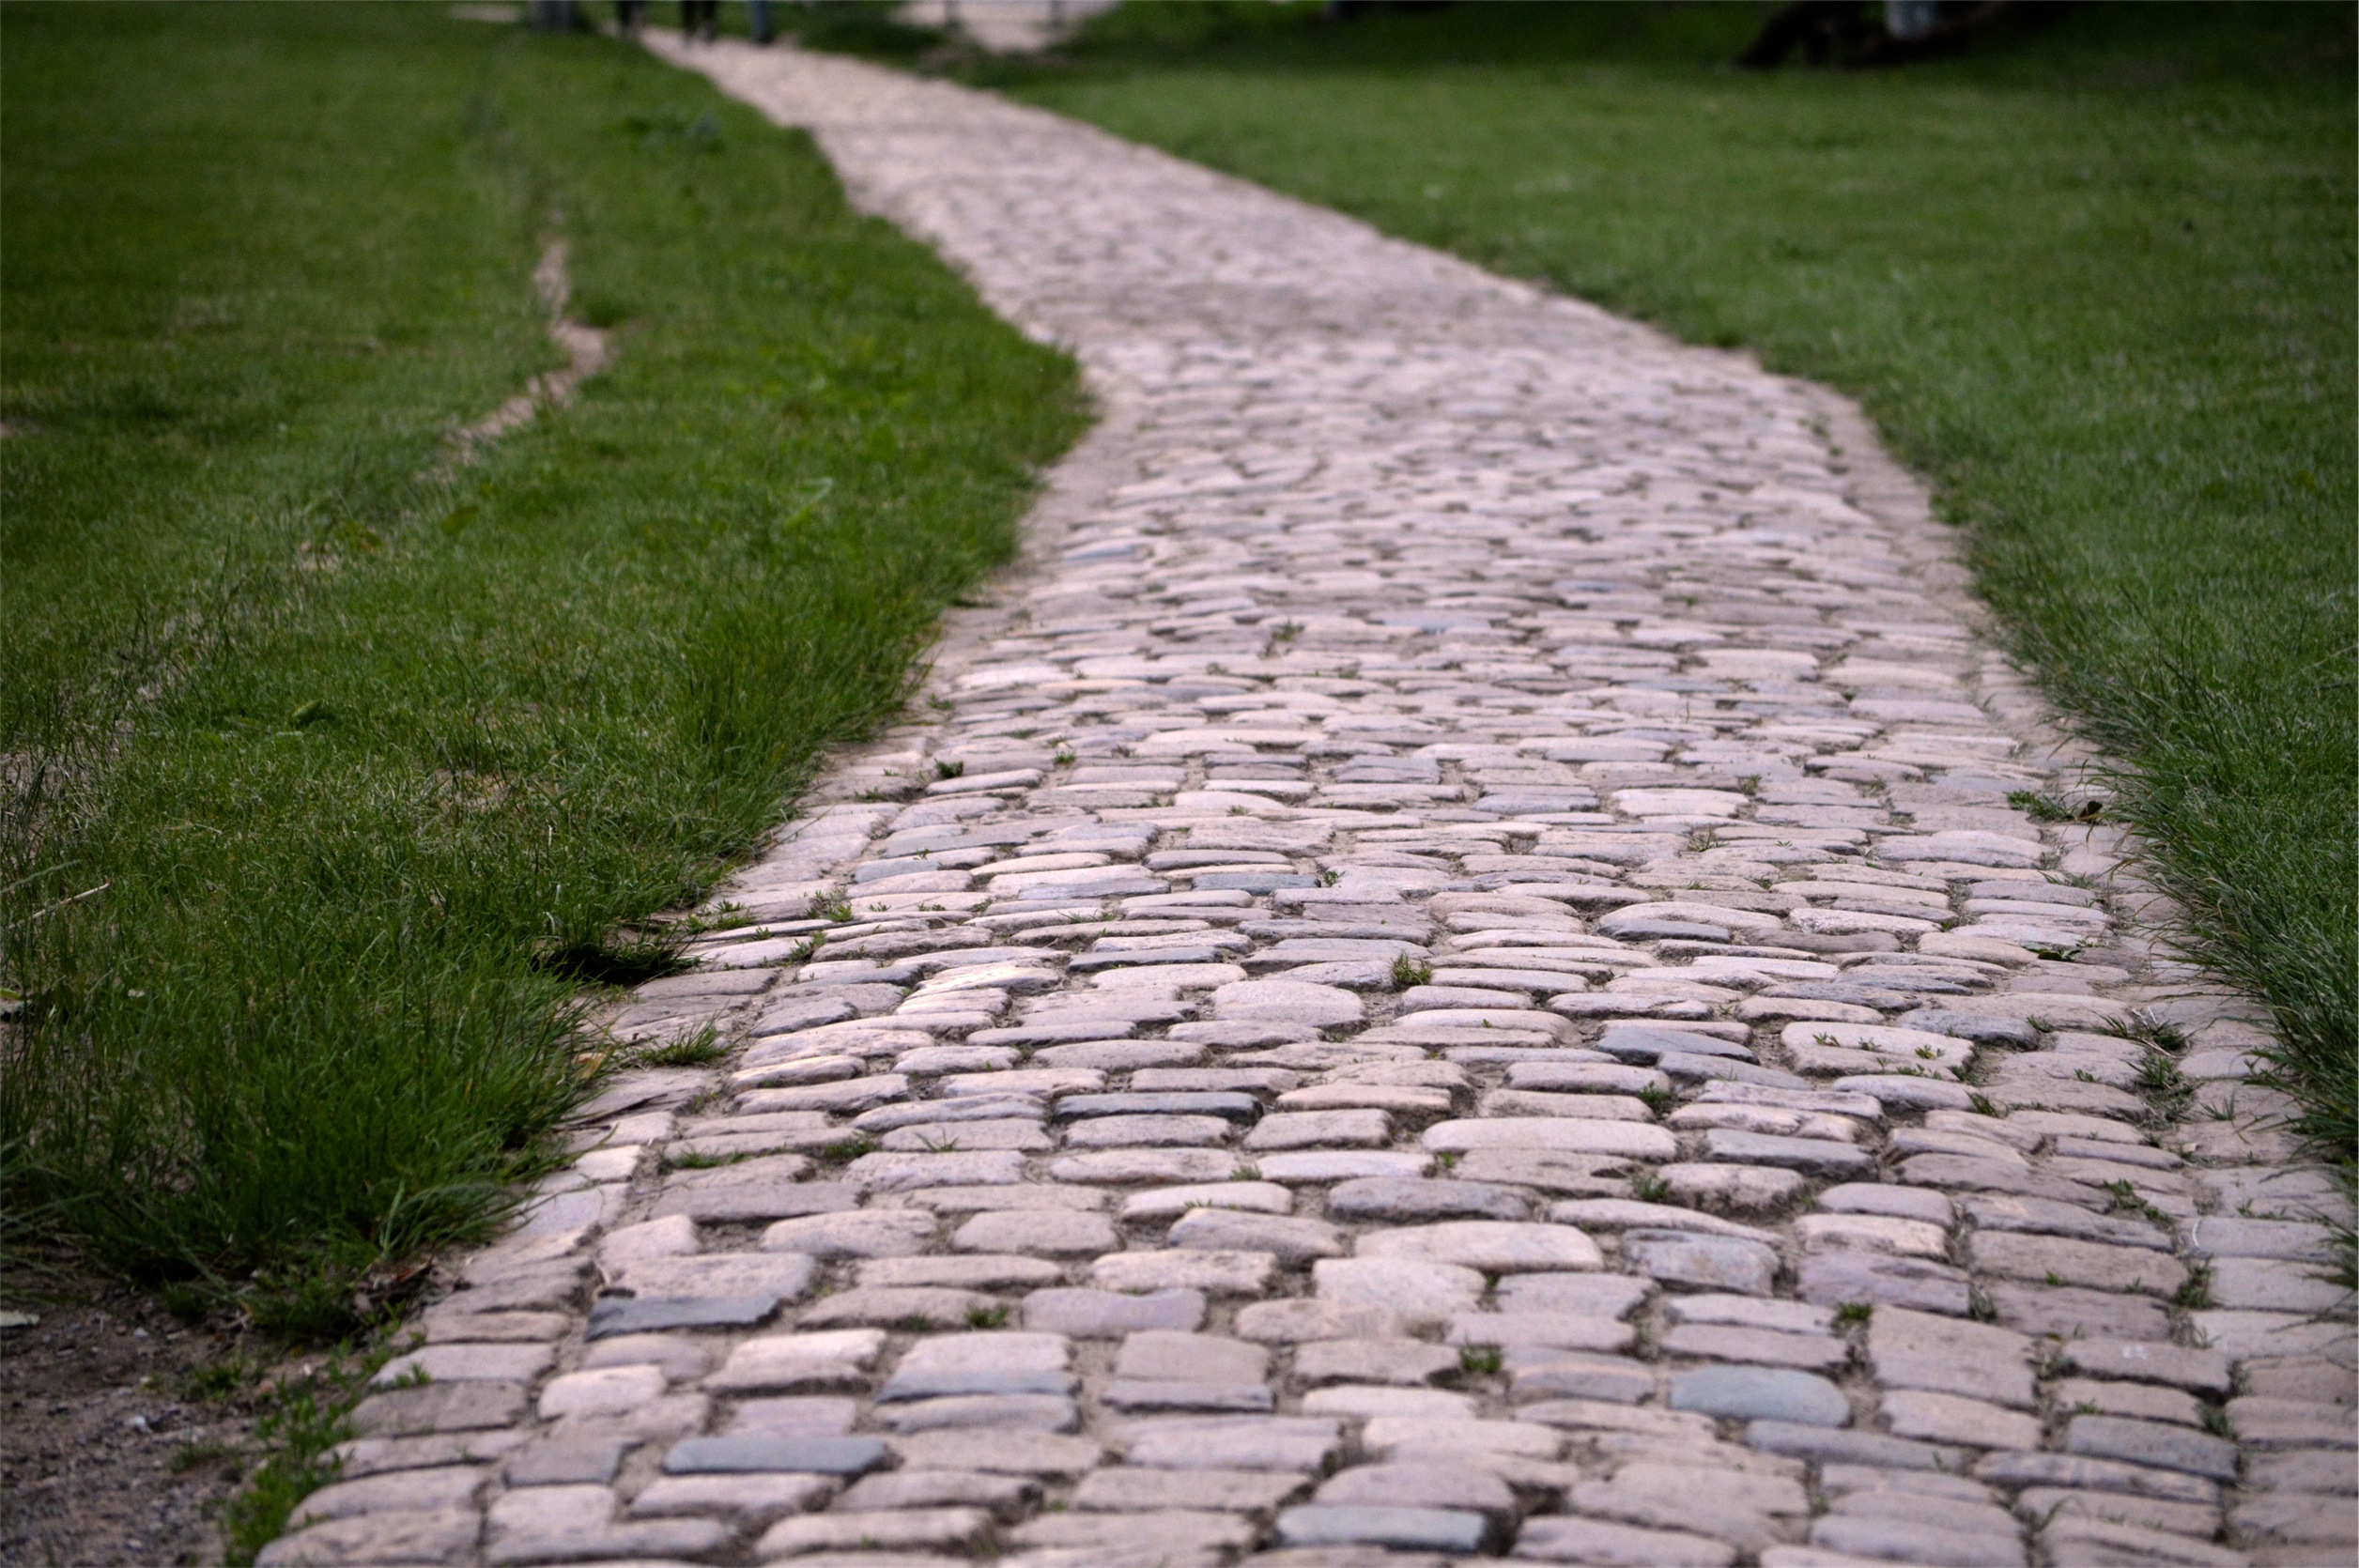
column 2096, row 282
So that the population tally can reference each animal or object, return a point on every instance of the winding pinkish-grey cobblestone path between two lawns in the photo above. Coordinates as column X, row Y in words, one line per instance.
column 1457, row 970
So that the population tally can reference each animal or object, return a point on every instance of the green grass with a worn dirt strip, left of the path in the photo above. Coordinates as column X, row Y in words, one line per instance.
column 329, row 779
